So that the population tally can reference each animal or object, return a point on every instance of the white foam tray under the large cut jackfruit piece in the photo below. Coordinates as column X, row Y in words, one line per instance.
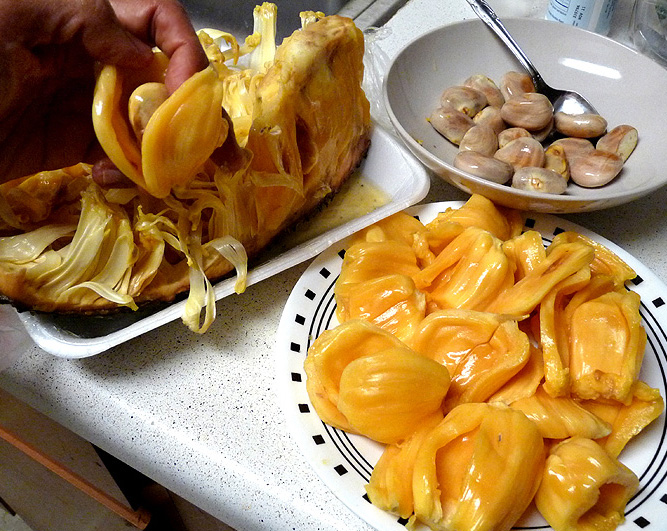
column 388, row 166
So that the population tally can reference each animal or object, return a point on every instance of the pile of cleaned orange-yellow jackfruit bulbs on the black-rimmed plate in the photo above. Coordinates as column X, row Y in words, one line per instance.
column 496, row 371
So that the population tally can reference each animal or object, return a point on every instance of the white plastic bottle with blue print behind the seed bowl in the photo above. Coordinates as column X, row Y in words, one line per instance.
column 593, row 15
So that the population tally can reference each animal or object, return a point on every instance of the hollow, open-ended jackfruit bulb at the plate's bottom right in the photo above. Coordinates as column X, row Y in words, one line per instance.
column 584, row 488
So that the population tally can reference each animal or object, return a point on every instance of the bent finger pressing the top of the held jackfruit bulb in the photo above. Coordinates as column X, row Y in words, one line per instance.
column 165, row 24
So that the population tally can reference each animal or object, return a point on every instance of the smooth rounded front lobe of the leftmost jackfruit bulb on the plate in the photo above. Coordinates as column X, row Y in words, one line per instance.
column 386, row 396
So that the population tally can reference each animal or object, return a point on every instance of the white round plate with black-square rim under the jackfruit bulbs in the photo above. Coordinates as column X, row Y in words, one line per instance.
column 345, row 462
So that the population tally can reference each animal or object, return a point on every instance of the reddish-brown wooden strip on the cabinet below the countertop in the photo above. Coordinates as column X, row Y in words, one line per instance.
column 138, row 519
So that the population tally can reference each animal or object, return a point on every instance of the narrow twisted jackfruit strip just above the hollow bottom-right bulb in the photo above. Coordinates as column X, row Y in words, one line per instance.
column 561, row 417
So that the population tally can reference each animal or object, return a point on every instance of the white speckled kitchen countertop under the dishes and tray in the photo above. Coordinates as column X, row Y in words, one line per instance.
column 199, row 414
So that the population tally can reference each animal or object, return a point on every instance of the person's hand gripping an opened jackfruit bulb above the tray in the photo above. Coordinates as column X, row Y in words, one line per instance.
column 47, row 57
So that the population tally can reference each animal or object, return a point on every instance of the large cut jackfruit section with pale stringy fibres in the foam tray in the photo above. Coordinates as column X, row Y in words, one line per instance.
column 237, row 154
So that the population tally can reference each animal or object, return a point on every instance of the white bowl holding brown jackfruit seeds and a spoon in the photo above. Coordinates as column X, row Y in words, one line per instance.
column 623, row 85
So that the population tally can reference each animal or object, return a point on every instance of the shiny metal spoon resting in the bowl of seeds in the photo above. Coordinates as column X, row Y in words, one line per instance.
column 562, row 100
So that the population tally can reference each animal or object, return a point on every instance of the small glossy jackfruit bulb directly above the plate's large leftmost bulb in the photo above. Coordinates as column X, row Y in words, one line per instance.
column 391, row 302
